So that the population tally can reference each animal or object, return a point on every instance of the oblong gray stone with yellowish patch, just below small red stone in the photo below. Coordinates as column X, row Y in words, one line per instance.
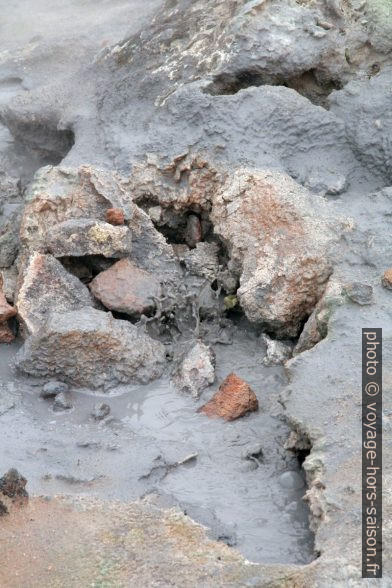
column 79, row 237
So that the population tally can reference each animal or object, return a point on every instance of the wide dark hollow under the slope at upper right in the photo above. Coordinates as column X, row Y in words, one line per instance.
column 310, row 84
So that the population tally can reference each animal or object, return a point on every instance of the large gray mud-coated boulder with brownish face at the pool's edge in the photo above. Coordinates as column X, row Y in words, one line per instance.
column 89, row 348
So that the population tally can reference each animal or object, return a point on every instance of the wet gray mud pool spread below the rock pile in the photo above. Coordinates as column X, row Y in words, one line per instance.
column 240, row 497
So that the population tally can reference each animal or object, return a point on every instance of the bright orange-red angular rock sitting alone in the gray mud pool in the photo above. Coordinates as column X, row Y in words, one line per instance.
column 234, row 399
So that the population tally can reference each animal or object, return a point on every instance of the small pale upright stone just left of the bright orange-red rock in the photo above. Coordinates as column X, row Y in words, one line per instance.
column 195, row 370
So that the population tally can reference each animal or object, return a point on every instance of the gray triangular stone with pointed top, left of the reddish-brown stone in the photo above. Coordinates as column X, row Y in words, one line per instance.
column 47, row 287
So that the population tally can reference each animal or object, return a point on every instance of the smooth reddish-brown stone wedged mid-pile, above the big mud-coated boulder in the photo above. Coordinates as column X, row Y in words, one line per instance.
column 126, row 288
